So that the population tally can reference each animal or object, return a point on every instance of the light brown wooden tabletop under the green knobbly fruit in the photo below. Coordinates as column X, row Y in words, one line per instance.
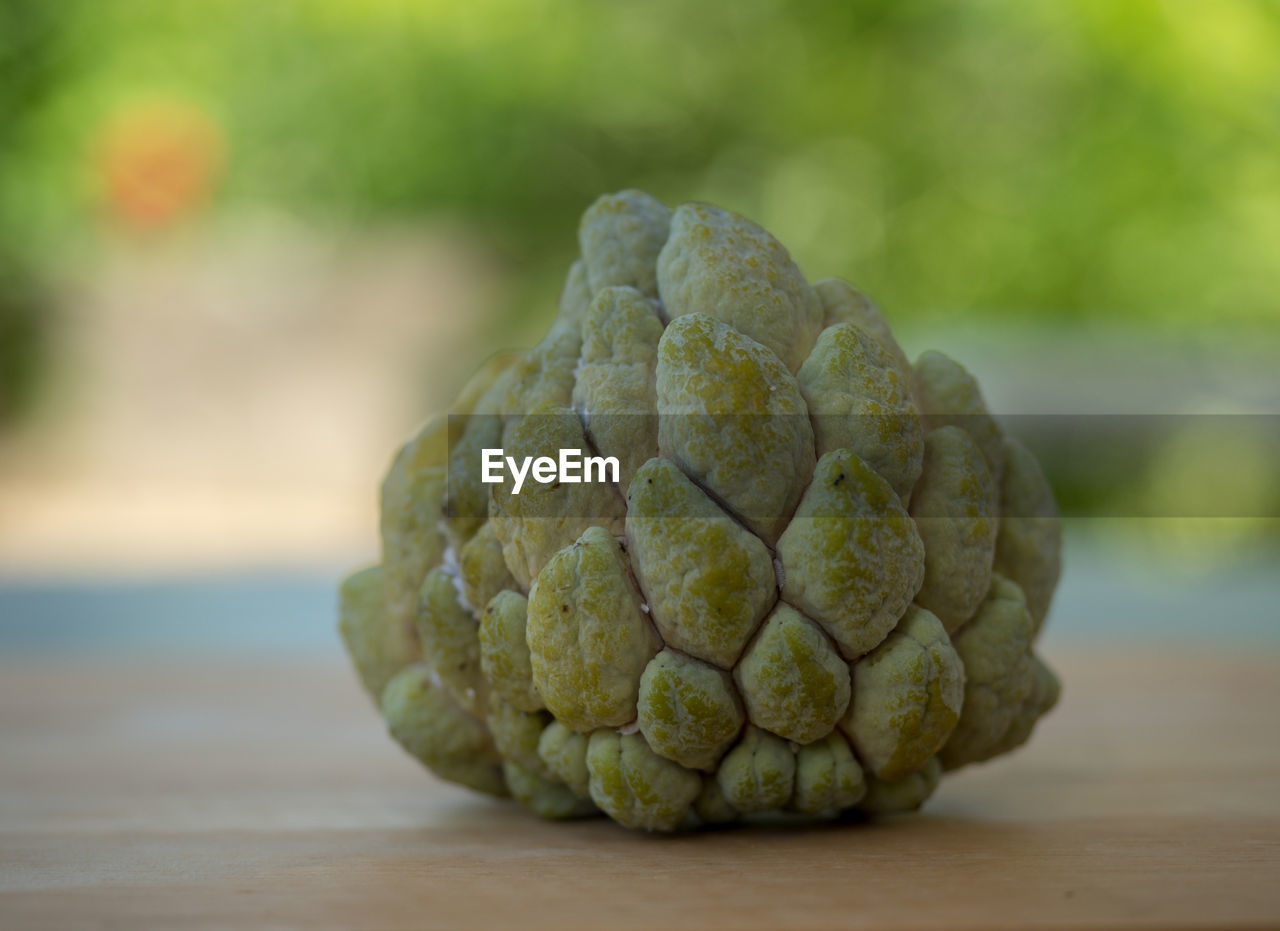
column 235, row 795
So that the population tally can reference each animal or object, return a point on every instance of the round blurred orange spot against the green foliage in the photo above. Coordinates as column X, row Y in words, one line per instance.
column 159, row 163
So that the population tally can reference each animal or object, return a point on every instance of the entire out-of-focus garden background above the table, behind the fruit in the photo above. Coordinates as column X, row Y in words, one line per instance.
column 246, row 248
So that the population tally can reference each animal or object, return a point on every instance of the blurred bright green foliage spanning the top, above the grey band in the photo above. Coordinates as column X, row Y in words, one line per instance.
column 1062, row 159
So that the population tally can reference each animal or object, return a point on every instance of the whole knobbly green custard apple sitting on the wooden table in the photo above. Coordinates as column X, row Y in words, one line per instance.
column 815, row 587
